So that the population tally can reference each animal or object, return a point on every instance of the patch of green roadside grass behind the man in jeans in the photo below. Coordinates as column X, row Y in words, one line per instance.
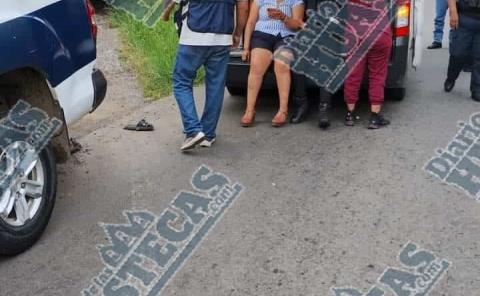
column 149, row 52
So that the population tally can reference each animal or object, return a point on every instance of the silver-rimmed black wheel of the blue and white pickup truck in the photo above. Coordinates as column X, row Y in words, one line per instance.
column 27, row 204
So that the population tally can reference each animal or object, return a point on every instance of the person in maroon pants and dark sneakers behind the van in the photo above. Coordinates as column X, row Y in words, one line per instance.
column 376, row 59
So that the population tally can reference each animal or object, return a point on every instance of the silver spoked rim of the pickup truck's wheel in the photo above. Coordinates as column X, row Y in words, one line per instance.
column 20, row 202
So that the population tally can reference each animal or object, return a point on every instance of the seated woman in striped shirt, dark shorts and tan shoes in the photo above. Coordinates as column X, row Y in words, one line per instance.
column 263, row 36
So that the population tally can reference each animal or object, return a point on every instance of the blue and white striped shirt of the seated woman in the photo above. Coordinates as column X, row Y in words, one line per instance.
column 274, row 27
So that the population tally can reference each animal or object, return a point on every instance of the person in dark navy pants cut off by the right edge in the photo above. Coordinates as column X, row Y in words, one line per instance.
column 465, row 43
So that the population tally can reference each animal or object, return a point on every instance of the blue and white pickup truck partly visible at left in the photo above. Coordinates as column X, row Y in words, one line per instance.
column 47, row 58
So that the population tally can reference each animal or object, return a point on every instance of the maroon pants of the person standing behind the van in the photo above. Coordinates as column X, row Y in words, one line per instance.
column 377, row 61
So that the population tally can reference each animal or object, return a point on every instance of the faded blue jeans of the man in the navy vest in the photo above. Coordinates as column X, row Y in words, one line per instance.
column 189, row 60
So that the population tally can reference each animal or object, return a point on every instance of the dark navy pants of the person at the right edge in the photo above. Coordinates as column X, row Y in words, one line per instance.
column 465, row 46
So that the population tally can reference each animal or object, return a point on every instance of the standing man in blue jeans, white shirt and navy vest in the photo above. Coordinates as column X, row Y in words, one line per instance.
column 205, row 40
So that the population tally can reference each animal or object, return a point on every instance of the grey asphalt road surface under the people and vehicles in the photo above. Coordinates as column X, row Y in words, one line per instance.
column 319, row 208
